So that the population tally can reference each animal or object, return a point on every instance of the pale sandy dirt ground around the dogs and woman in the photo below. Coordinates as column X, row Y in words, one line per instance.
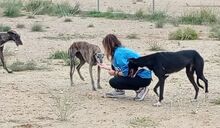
column 34, row 99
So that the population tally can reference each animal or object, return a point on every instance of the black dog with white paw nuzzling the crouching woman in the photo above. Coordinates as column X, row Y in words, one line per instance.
column 164, row 63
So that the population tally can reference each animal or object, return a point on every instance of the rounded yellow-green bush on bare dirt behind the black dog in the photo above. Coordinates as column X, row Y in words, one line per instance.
column 184, row 34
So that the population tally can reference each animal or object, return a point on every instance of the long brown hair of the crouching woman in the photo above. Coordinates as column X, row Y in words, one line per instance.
column 110, row 42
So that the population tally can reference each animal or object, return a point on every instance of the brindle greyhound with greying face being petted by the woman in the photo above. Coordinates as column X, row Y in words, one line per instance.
column 85, row 52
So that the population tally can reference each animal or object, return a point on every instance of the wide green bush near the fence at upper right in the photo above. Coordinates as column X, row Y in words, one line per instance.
column 198, row 17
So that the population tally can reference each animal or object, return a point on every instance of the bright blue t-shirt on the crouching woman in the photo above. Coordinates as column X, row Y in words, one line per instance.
column 120, row 62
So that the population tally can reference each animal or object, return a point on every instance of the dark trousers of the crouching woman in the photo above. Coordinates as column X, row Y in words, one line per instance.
column 128, row 83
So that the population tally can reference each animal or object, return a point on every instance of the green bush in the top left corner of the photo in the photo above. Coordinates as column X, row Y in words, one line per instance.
column 12, row 8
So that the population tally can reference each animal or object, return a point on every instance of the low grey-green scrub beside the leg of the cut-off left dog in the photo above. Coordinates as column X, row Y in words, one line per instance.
column 23, row 66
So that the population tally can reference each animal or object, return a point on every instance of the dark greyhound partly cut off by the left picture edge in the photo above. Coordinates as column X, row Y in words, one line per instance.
column 5, row 37
